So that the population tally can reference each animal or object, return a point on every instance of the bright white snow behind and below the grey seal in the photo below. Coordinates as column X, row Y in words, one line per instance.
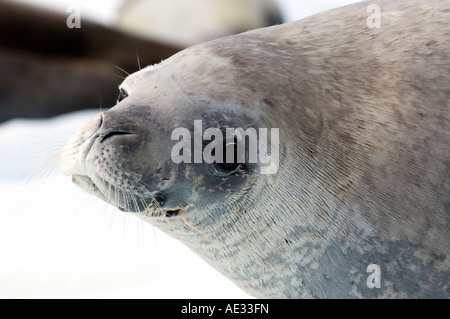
column 58, row 242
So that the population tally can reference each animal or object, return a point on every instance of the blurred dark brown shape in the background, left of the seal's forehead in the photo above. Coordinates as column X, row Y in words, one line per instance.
column 49, row 69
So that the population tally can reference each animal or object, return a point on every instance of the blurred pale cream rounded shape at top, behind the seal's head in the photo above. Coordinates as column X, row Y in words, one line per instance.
column 186, row 22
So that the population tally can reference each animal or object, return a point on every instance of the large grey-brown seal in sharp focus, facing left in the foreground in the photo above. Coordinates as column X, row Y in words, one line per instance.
column 359, row 206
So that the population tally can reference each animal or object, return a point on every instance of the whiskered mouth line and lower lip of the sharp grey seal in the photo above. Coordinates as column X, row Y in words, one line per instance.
column 131, row 201
